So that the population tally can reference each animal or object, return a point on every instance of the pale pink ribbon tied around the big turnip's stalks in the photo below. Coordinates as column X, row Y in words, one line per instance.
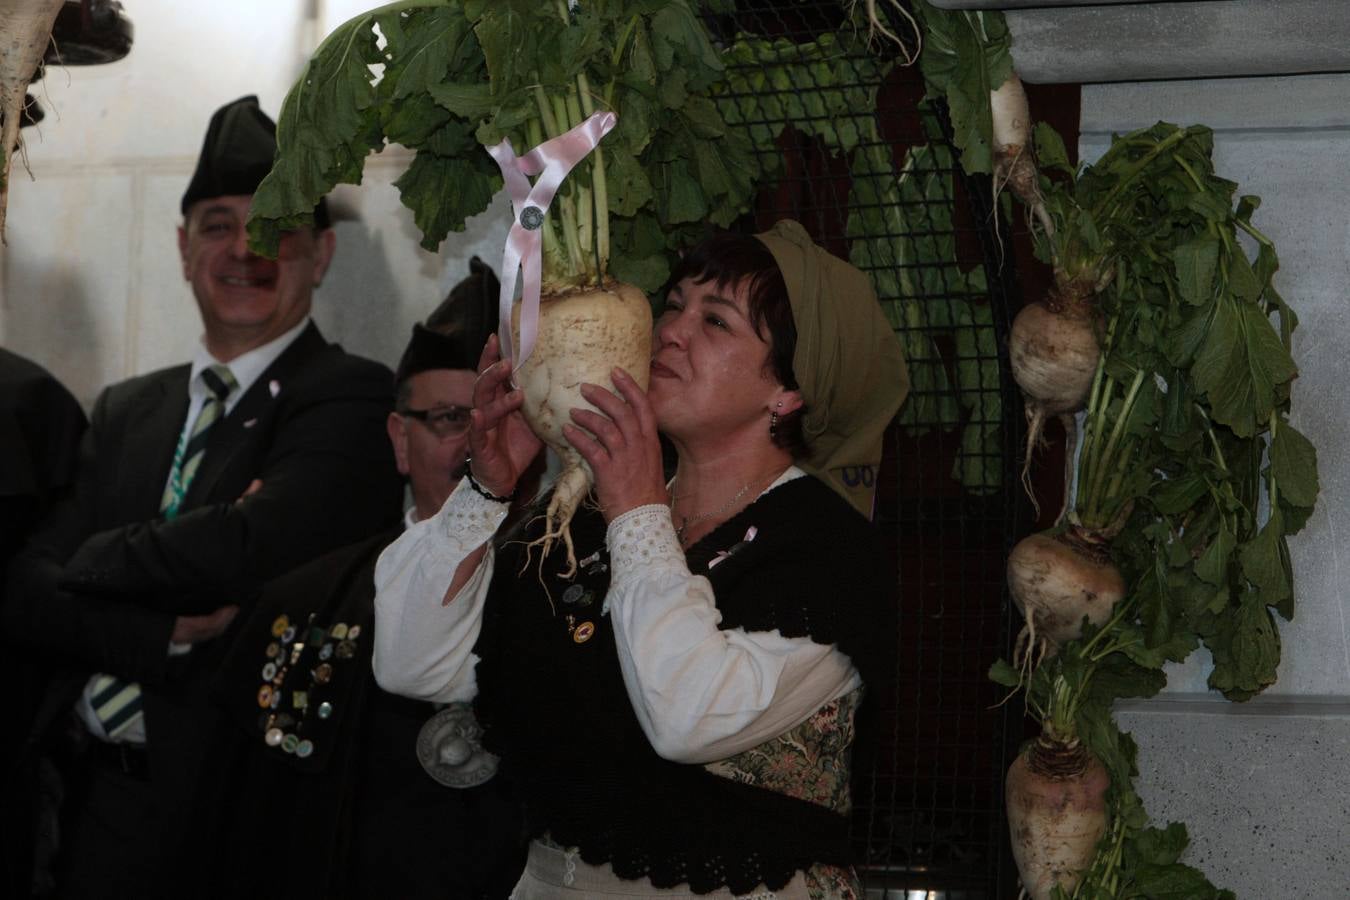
column 524, row 244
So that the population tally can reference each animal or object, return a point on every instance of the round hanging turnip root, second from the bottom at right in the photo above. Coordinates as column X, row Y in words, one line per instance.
column 1056, row 581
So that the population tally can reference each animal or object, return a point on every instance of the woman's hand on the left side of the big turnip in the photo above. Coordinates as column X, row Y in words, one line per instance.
column 502, row 446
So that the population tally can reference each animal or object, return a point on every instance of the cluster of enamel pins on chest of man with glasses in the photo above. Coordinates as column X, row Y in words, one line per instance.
column 284, row 724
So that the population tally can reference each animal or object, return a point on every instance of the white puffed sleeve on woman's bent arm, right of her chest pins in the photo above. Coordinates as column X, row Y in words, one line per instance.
column 704, row 694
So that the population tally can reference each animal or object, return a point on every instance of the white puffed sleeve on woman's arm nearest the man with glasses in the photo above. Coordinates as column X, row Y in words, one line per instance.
column 425, row 647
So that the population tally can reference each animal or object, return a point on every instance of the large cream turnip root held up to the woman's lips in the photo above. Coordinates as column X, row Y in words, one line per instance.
column 584, row 334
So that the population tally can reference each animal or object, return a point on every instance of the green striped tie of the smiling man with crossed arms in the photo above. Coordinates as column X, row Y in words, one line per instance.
column 114, row 701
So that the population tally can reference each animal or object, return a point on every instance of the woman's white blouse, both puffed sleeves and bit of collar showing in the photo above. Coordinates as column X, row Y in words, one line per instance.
column 700, row 693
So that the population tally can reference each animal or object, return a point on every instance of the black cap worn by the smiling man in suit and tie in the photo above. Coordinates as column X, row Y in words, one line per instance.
column 237, row 156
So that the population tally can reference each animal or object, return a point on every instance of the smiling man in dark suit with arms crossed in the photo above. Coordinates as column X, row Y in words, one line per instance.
column 195, row 485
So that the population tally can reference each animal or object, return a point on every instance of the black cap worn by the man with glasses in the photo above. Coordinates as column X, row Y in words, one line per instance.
column 457, row 331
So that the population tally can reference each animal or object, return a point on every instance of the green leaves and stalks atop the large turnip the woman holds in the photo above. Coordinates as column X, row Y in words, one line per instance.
column 458, row 75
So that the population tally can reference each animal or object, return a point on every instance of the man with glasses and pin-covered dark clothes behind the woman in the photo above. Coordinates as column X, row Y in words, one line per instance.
column 361, row 793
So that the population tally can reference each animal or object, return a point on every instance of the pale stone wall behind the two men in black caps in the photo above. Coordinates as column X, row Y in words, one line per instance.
column 90, row 283
